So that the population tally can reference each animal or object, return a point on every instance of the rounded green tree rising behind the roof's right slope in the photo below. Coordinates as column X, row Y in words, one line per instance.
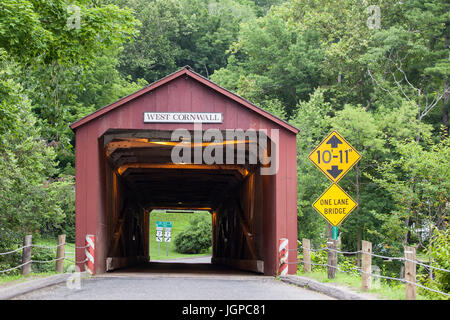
column 272, row 60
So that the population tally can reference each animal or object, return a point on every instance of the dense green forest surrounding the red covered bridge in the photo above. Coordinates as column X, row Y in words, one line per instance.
column 376, row 71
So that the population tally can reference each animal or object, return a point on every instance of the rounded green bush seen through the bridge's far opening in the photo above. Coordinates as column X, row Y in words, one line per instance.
column 196, row 238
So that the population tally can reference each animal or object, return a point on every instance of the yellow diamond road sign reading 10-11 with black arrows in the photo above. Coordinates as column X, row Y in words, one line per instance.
column 334, row 156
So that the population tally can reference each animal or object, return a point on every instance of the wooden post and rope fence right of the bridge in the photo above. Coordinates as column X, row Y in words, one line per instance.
column 409, row 260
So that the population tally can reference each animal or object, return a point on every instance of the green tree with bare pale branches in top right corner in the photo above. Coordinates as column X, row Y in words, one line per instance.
column 408, row 58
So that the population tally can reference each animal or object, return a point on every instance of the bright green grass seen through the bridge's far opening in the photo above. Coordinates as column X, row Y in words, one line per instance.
column 180, row 221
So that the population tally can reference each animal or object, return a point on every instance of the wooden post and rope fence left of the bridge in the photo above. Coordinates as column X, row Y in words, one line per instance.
column 61, row 255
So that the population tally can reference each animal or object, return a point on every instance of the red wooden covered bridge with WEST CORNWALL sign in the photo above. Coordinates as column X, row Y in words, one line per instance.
column 183, row 142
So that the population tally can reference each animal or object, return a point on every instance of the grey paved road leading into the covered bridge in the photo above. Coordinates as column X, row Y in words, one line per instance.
column 194, row 279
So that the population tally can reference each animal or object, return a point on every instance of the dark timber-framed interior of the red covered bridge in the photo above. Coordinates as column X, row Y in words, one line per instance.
column 140, row 177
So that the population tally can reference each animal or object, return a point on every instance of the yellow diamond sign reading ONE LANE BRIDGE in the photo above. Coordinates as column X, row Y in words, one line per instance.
column 334, row 205
